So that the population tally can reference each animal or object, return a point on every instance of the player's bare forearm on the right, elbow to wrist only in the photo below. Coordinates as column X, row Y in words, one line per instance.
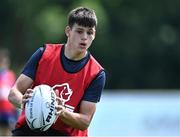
column 75, row 120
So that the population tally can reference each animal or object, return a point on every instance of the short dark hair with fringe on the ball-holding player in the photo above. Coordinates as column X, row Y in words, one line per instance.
column 82, row 16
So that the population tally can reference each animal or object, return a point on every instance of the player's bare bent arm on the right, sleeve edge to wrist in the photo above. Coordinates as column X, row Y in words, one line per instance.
column 79, row 120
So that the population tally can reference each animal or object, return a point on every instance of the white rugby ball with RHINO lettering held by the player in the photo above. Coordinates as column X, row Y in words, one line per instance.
column 40, row 109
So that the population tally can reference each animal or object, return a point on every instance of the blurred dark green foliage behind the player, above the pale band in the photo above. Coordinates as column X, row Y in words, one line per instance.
column 137, row 40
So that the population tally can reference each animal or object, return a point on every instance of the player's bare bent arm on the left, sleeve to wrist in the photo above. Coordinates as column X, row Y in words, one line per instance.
column 17, row 91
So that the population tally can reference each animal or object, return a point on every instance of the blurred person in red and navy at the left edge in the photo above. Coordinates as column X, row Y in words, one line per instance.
column 7, row 79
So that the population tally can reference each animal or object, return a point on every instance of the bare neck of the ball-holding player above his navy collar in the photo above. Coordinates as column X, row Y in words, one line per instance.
column 72, row 54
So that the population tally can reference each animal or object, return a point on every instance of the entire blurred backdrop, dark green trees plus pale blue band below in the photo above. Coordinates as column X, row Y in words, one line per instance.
column 137, row 42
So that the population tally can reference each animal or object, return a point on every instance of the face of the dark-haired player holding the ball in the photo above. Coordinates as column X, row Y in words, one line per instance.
column 80, row 38
